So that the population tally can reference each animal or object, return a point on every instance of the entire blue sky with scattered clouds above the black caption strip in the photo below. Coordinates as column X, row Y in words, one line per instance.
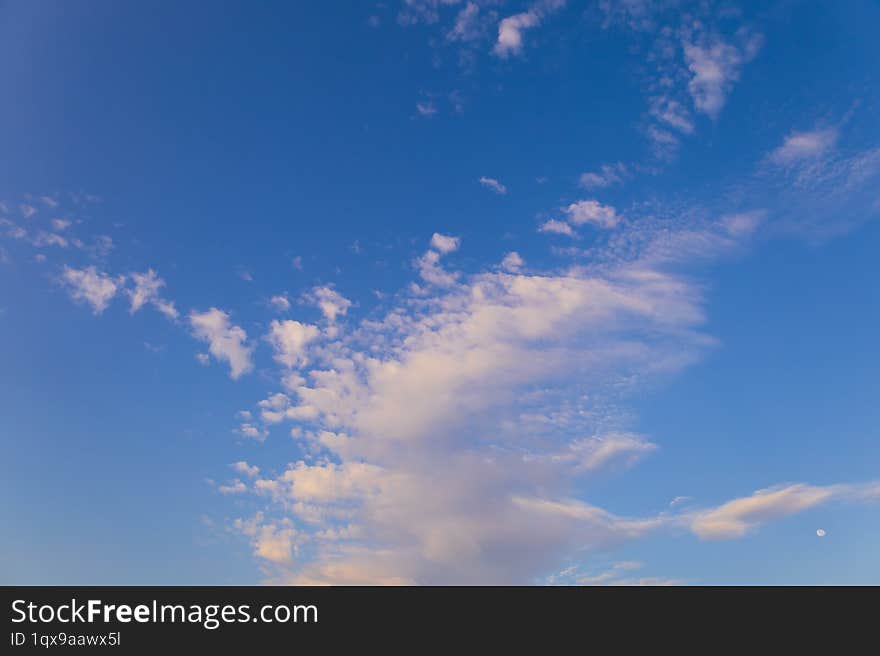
column 439, row 291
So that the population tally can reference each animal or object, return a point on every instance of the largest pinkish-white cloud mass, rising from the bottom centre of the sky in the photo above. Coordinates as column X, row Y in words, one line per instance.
column 443, row 460
